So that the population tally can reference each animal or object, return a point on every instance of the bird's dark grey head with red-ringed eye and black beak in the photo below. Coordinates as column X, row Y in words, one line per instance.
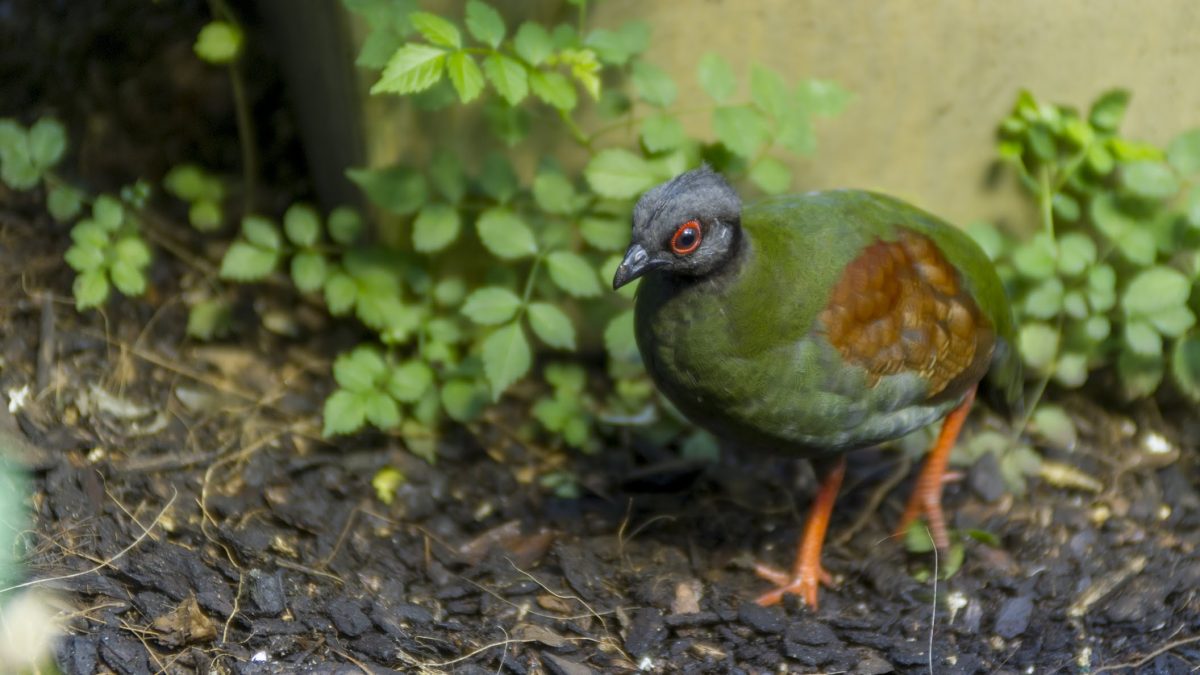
column 689, row 226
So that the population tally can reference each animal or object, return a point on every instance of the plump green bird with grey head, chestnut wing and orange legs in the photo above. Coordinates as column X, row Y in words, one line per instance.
column 817, row 325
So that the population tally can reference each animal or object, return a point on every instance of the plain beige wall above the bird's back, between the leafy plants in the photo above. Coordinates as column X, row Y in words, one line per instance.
column 934, row 77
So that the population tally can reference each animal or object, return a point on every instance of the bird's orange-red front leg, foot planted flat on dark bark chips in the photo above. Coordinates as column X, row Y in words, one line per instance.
column 808, row 571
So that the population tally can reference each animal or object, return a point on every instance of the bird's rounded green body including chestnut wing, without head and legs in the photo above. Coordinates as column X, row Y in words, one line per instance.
column 849, row 319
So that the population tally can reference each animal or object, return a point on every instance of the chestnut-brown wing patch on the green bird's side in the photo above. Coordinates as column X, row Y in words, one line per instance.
column 901, row 307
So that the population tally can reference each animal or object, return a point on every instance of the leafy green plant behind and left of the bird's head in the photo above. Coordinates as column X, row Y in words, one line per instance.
column 551, row 241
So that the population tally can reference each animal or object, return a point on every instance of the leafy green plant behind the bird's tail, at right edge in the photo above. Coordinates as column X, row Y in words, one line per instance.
column 1108, row 279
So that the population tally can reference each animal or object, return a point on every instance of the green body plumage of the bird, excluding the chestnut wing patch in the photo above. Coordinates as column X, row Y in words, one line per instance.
column 740, row 350
